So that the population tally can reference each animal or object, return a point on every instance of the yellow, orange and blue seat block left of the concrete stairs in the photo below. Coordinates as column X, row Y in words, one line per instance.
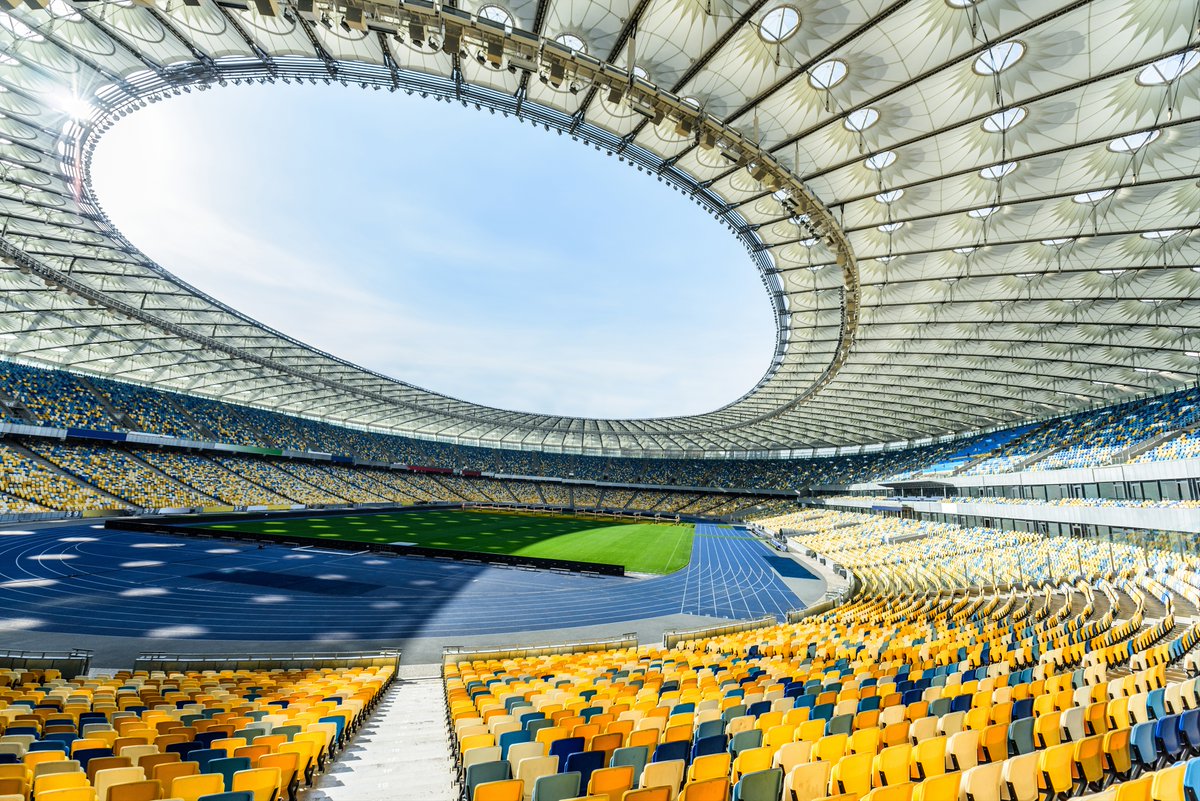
column 221, row 736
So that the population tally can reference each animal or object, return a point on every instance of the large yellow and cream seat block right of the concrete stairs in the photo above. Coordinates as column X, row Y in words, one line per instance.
column 938, row 689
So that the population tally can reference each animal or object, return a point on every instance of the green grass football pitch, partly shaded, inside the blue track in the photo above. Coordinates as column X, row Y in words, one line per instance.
column 640, row 547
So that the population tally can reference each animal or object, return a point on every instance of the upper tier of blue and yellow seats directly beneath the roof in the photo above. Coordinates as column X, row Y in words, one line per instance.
column 1085, row 439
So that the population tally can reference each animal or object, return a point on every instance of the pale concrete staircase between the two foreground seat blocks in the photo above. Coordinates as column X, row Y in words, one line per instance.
column 403, row 752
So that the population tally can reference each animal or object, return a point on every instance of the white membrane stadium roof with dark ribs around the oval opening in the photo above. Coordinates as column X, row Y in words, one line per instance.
column 967, row 214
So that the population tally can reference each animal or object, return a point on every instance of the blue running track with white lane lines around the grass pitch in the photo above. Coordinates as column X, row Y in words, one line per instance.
column 89, row 581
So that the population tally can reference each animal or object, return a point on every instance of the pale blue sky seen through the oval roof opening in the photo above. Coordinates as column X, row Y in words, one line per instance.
column 457, row 250
